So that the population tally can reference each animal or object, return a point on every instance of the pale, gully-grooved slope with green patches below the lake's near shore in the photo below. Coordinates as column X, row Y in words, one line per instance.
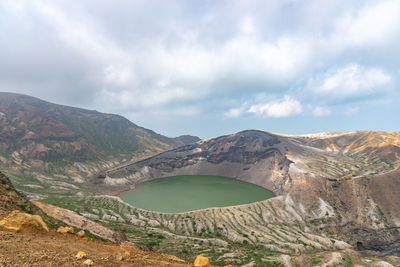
column 273, row 232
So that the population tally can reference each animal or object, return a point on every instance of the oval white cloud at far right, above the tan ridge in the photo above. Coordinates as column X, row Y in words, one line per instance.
column 350, row 81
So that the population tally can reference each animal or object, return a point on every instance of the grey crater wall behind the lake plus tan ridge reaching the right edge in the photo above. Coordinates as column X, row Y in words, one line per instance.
column 260, row 157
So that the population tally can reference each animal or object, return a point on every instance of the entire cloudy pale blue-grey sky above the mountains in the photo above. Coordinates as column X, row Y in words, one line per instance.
column 209, row 68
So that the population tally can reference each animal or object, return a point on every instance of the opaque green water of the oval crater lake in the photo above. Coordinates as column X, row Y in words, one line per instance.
column 186, row 193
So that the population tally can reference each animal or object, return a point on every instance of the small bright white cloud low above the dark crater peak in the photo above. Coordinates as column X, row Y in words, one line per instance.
column 285, row 108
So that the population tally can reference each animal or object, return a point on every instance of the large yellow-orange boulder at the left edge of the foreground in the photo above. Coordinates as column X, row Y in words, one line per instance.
column 18, row 221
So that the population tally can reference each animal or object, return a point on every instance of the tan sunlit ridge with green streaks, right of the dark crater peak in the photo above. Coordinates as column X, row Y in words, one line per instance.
column 348, row 155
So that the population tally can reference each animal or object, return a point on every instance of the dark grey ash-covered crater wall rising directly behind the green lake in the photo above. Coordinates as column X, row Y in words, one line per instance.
column 252, row 156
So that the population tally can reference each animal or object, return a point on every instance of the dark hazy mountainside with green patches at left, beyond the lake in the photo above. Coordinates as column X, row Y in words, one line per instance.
column 69, row 145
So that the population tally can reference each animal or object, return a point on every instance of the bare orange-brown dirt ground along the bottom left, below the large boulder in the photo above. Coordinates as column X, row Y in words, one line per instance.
column 55, row 249
